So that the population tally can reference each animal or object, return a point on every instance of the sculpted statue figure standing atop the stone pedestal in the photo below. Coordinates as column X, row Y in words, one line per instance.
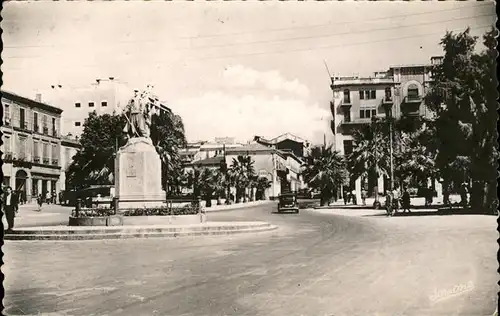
column 138, row 113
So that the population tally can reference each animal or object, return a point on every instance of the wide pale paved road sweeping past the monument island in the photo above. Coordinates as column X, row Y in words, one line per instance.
column 316, row 263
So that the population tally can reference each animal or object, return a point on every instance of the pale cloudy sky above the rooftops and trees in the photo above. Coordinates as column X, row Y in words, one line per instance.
column 230, row 69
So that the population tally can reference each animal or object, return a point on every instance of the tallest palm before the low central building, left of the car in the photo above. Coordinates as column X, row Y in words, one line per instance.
column 241, row 172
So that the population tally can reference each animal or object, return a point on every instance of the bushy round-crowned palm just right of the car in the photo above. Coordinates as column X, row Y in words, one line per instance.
column 325, row 171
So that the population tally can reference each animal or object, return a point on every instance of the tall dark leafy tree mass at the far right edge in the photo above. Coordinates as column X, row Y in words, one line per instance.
column 463, row 96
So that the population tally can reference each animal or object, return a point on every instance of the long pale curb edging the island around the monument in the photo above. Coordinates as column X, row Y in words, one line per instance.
column 131, row 232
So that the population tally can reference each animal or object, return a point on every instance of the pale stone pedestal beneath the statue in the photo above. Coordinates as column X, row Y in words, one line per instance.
column 138, row 175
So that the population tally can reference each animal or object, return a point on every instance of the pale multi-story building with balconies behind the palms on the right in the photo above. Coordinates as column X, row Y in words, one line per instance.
column 399, row 91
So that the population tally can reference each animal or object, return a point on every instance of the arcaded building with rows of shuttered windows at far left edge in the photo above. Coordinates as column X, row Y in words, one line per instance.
column 31, row 145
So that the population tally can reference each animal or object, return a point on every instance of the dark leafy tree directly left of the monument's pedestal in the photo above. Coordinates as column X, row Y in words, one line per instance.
column 95, row 162
